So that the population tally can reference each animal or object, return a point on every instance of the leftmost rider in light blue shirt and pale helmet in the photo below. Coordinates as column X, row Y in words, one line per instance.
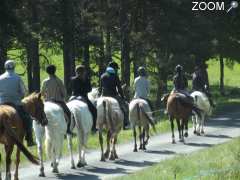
column 12, row 90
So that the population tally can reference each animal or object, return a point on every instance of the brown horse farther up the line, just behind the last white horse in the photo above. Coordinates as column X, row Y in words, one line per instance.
column 178, row 109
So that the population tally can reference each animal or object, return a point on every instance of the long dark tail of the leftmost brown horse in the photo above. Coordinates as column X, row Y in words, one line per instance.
column 19, row 144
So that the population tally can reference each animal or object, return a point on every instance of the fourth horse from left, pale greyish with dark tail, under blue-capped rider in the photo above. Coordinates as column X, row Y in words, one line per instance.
column 110, row 117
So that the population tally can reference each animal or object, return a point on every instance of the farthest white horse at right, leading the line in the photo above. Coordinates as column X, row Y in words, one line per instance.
column 202, row 102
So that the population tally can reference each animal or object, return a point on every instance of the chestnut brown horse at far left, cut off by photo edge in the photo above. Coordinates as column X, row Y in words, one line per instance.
column 12, row 130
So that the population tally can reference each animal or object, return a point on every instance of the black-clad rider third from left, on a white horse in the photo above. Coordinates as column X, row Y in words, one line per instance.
column 81, row 86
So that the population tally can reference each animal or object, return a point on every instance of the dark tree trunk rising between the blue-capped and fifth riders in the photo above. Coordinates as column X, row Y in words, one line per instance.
column 125, row 44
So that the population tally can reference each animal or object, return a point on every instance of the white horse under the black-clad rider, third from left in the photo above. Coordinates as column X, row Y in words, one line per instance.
column 84, row 121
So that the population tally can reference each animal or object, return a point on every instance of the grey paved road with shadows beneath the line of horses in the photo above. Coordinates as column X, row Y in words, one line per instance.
column 219, row 130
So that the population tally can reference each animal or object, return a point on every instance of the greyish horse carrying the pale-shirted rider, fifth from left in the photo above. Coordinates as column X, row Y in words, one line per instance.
column 139, row 115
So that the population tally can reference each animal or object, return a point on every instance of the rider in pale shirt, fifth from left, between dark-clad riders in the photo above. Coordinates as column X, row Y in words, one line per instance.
column 142, row 86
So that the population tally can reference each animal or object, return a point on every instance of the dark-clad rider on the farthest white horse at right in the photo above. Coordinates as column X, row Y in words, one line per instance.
column 200, row 82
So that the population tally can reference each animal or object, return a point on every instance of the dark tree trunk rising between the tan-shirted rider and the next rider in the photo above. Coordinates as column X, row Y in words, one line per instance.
column 68, row 43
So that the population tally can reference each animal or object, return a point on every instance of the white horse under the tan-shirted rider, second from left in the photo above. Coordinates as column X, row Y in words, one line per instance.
column 54, row 135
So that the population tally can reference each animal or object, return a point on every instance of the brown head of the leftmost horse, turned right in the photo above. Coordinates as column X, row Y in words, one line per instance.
column 35, row 107
